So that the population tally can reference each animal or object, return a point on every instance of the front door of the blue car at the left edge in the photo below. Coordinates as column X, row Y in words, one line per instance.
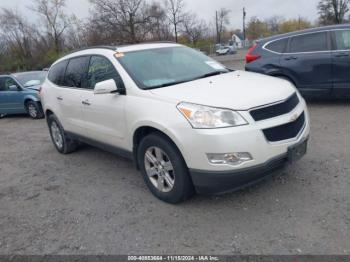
column 11, row 99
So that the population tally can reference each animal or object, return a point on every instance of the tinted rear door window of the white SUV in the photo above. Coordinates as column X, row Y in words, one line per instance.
column 76, row 72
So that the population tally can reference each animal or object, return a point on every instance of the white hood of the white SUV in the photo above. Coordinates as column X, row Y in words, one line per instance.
column 237, row 90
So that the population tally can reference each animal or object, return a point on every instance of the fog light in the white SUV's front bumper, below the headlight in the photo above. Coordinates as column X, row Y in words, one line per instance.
column 229, row 158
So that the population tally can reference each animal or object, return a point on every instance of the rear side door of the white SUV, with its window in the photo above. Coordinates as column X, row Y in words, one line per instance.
column 70, row 96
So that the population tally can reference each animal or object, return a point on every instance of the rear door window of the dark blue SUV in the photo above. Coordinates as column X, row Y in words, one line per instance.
column 309, row 43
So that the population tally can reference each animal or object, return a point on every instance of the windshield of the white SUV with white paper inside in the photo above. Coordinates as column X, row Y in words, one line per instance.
column 155, row 68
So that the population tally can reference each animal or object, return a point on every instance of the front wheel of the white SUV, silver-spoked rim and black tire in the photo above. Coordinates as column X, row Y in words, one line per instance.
column 181, row 187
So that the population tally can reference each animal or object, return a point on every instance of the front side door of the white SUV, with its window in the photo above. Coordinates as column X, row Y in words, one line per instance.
column 104, row 114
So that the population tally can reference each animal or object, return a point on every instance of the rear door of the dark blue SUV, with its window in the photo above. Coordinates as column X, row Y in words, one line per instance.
column 308, row 62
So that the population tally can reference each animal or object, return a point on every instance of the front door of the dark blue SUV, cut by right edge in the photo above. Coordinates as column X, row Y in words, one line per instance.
column 341, row 63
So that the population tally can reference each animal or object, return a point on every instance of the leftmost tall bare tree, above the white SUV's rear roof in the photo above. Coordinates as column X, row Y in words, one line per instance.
column 55, row 19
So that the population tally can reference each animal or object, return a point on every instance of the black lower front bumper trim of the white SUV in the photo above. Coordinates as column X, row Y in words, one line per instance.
column 211, row 183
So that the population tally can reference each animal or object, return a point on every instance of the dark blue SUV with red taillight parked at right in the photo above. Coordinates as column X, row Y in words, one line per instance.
column 316, row 61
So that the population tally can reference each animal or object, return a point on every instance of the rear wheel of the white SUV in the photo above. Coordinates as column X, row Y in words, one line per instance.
column 63, row 143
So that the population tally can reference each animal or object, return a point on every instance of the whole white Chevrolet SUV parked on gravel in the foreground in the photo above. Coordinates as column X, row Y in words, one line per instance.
column 189, row 123
